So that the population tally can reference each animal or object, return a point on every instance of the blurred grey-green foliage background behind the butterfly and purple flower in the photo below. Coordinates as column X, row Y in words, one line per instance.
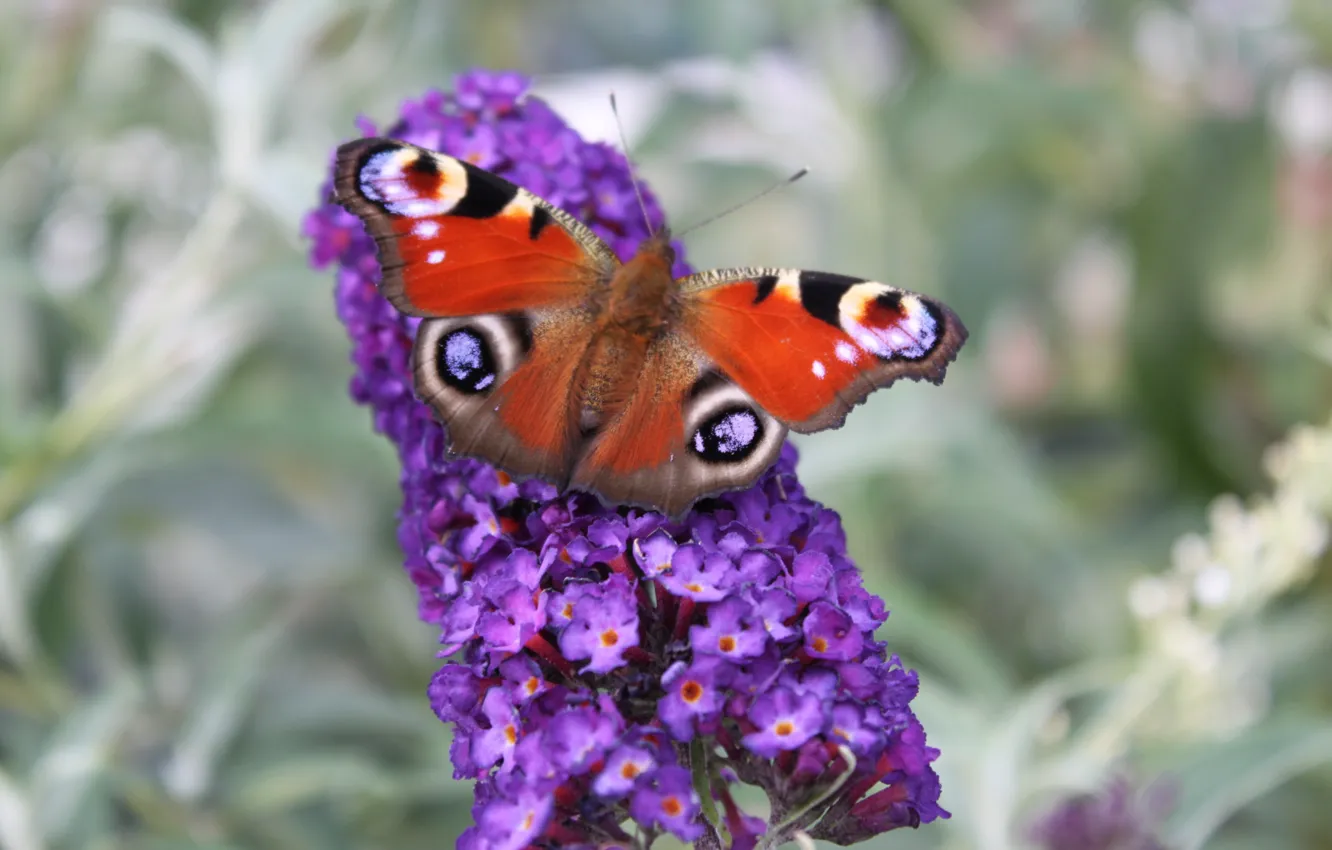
column 206, row 639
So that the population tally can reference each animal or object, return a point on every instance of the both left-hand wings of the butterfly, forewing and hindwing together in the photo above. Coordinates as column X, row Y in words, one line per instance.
column 503, row 279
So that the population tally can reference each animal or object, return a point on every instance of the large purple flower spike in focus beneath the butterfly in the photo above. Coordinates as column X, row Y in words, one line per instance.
column 612, row 667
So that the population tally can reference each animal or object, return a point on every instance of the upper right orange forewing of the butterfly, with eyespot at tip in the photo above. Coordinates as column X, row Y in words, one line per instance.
column 808, row 347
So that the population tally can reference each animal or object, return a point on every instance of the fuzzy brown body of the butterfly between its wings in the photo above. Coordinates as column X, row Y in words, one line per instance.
column 641, row 306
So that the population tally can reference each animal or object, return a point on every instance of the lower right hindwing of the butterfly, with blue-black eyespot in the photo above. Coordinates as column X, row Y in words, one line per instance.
column 687, row 432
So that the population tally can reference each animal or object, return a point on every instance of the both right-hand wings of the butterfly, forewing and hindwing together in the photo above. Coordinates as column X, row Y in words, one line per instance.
column 753, row 354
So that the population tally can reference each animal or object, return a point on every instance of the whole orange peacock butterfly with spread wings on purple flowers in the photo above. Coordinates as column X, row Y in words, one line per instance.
column 547, row 356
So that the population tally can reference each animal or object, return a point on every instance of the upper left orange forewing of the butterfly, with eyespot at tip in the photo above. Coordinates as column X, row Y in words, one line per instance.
column 456, row 240
